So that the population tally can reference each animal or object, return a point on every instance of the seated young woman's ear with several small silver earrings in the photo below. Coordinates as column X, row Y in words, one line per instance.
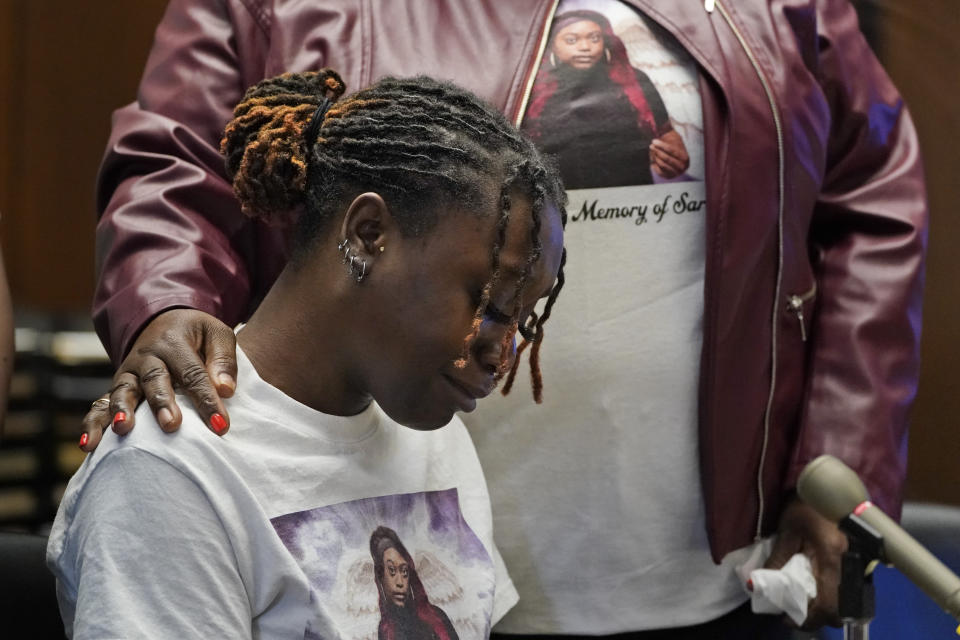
column 364, row 233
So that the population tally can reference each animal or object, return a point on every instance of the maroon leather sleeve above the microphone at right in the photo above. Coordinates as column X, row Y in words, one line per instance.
column 868, row 235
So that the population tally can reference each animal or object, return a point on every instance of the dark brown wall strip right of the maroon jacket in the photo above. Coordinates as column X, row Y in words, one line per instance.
column 921, row 50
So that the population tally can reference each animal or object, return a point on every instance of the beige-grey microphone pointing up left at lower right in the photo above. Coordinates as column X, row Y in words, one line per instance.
column 835, row 492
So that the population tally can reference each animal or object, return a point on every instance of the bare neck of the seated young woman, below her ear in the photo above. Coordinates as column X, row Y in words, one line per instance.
column 295, row 341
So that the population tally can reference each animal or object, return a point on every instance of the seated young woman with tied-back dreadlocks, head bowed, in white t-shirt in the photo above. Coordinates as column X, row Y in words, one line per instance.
column 425, row 229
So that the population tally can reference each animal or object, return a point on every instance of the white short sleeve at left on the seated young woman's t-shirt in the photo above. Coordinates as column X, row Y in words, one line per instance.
column 146, row 556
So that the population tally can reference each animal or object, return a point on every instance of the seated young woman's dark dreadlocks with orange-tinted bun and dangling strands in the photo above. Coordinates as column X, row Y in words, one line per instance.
column 402, row 138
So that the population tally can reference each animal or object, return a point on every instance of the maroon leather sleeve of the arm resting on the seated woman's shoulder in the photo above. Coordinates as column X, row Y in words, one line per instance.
column 170, row 232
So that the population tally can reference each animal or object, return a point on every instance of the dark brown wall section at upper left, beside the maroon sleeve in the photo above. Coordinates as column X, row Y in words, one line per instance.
column 72, row 64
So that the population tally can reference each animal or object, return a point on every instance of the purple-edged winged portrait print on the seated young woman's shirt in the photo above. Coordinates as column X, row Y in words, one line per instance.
column 394, row 567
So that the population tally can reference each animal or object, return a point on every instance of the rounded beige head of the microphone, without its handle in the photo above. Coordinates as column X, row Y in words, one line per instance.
column 831, row 487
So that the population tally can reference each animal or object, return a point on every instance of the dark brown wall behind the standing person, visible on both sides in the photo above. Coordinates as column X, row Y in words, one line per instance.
column 64, row 66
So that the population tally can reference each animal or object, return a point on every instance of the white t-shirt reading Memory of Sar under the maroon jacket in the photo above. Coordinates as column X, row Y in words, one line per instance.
column 596, row 492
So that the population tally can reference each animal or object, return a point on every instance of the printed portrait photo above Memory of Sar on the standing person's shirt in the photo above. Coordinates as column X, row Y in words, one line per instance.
column 610, row 100
